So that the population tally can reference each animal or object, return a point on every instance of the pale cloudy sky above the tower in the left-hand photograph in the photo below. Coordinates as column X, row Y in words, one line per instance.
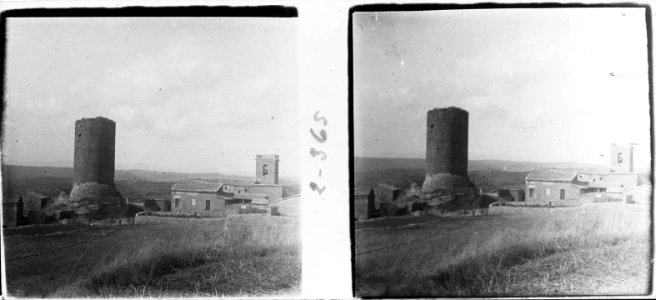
column 187, row 94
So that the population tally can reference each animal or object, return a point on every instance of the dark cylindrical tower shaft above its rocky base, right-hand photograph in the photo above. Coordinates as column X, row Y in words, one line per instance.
column 446, row 141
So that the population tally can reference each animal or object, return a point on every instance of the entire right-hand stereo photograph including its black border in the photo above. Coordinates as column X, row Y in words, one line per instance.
column 501, row 150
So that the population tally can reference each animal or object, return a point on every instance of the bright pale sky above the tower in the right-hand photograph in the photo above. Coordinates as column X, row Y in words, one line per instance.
column 547, row 85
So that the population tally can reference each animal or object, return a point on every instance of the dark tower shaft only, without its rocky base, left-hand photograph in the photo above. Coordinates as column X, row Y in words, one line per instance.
column 94, row 151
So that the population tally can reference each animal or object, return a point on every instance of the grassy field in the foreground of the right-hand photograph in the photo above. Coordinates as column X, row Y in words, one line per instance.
column 592, row 250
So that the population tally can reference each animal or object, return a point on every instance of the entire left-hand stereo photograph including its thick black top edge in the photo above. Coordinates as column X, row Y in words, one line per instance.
column 151, row 155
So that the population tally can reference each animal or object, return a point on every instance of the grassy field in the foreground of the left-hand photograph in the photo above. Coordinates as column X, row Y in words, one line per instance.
column 254, row 257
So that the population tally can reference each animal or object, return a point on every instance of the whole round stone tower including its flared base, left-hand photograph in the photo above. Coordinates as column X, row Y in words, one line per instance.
column 93, row 175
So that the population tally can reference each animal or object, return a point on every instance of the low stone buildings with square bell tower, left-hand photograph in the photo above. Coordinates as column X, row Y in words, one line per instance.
column 218, row 197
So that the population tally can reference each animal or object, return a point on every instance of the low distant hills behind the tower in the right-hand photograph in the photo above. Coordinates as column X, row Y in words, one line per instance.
column 370, row 164
